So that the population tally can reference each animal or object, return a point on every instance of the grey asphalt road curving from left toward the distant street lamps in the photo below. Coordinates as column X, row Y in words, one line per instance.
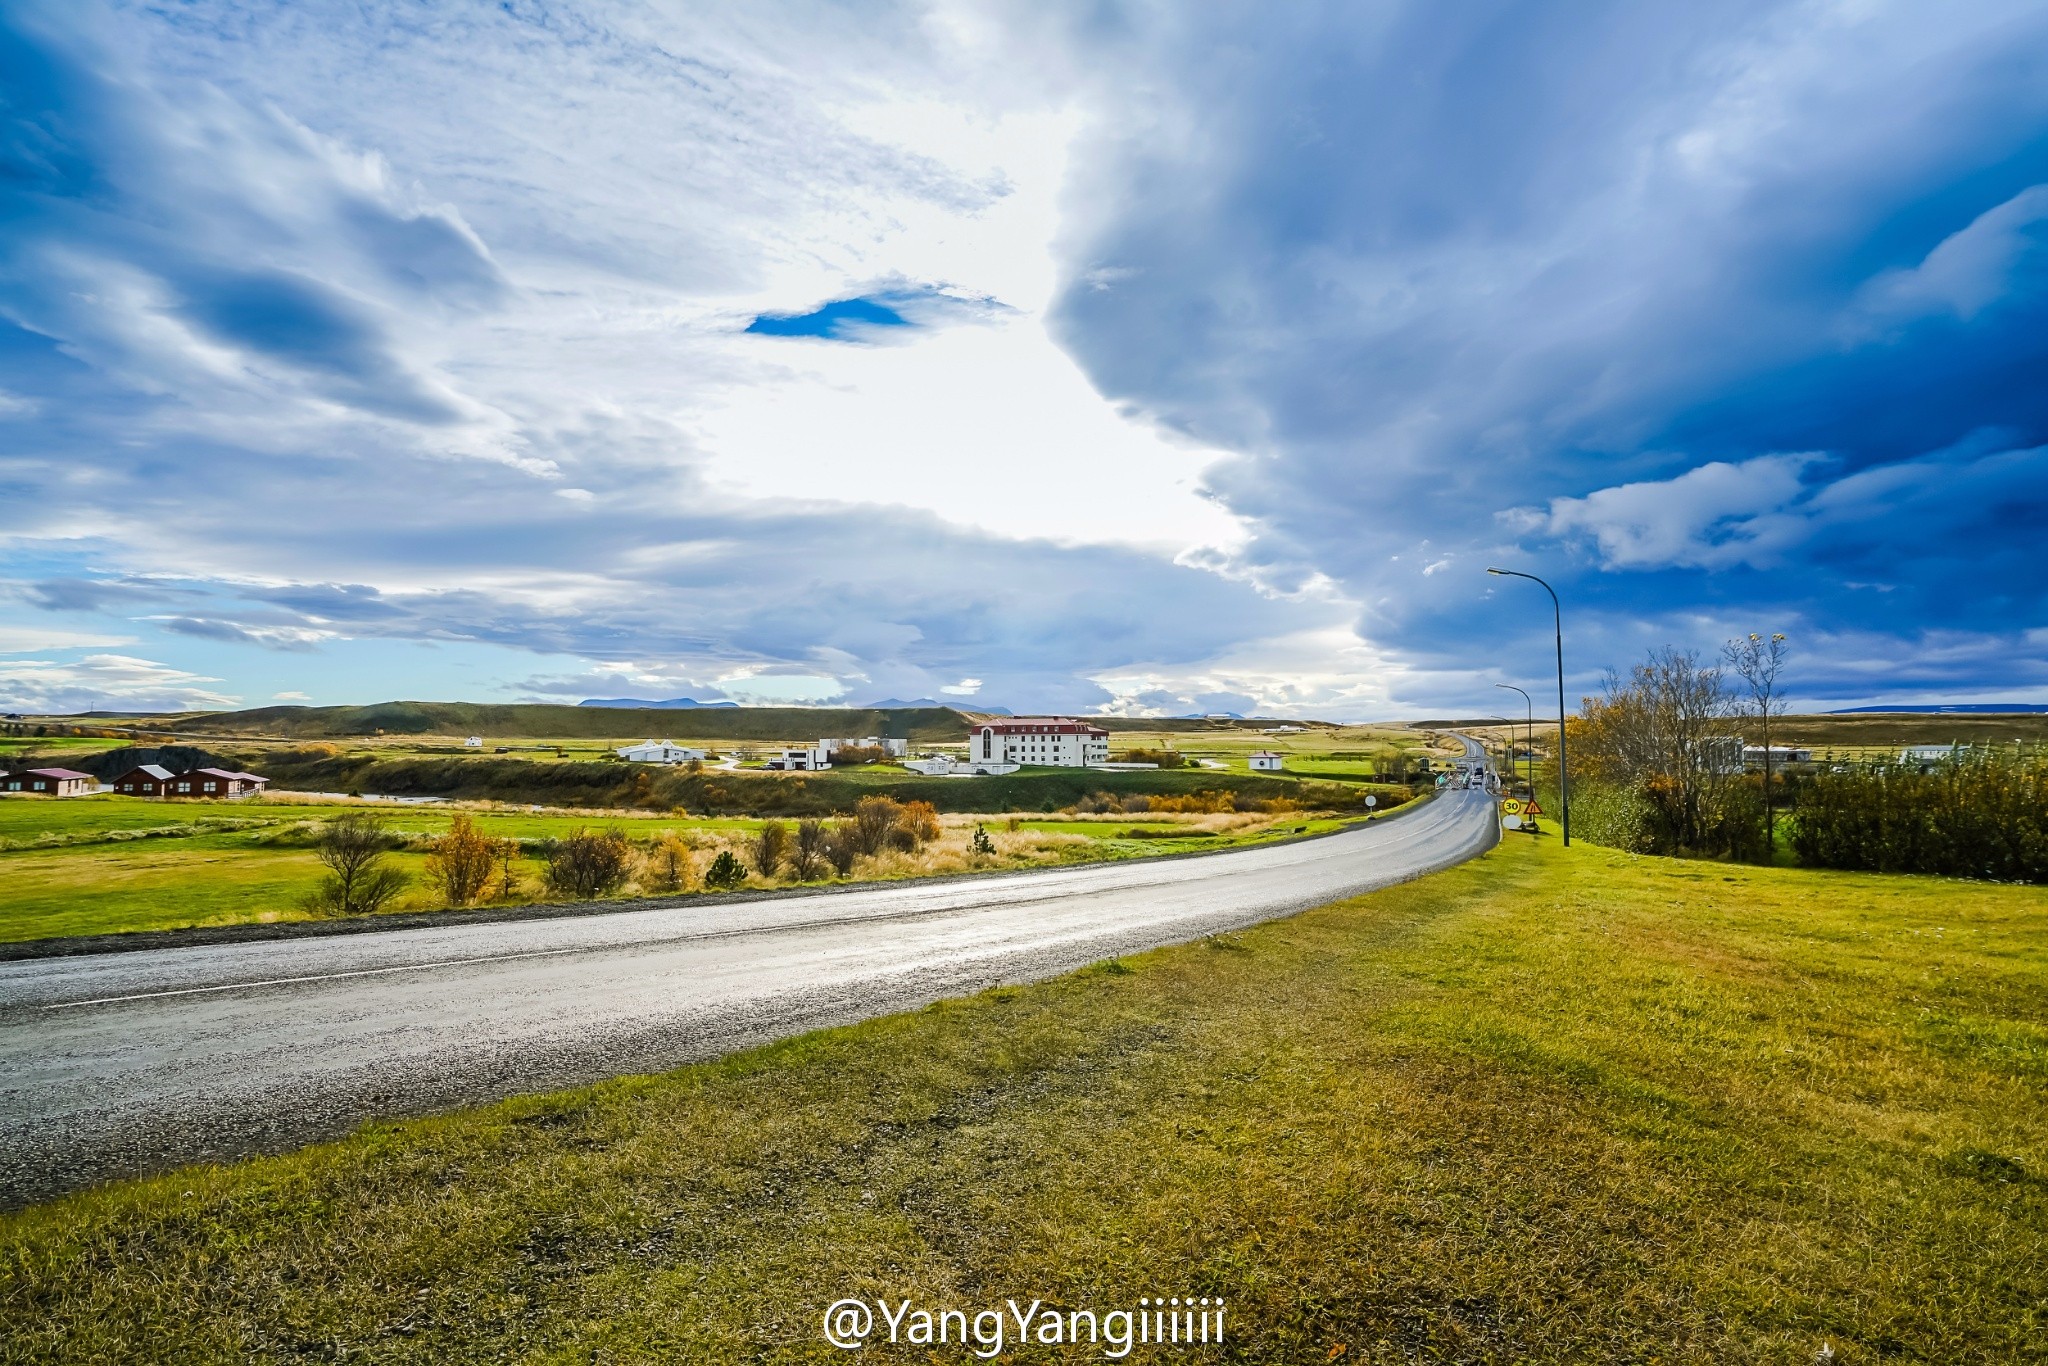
column 138, row 1062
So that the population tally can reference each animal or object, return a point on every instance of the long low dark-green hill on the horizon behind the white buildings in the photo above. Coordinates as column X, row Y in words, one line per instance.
column 536, row 722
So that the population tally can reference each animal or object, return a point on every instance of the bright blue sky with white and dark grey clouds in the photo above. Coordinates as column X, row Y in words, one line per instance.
column 1093, row 357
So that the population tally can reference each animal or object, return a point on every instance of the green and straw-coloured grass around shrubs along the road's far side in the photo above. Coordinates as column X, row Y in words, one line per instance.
column 112, row 865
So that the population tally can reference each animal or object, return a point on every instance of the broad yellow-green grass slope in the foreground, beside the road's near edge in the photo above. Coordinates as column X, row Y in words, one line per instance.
column 1545, row 1107
